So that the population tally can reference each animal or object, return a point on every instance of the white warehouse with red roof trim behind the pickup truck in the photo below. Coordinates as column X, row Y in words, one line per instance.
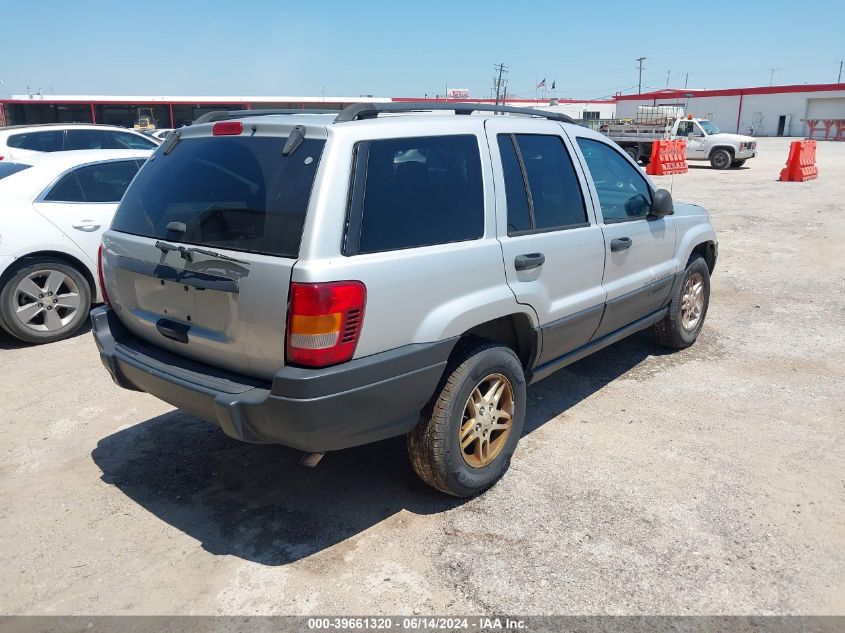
column 761, row 111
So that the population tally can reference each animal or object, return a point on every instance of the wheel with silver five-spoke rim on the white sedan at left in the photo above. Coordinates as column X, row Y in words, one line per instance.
column 45, row 300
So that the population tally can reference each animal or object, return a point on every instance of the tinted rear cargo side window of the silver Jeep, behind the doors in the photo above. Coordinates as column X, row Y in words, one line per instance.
column 416, row 192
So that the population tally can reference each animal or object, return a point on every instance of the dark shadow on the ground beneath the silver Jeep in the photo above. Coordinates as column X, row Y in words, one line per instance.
column 256, row 503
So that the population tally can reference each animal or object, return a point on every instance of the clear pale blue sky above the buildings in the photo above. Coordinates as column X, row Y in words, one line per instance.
column 351, row 48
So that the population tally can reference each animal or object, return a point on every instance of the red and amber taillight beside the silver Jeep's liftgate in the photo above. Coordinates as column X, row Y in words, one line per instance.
column 324, row 322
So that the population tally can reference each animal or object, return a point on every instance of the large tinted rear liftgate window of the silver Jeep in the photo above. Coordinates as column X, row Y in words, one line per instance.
column 235, row 193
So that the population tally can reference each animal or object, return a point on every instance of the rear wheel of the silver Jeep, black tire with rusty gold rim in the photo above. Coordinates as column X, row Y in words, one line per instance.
column 467, row 434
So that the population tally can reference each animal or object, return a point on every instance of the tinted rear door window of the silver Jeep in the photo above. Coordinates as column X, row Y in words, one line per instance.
column 553, row 198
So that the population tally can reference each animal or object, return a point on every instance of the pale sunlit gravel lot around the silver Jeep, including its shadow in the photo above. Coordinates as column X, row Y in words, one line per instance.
column 705, row 481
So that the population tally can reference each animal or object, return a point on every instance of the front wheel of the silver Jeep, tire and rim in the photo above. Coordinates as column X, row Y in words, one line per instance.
column 682, row 324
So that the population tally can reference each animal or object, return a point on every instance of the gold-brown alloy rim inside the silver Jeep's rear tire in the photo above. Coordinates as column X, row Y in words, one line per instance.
column 487, row 420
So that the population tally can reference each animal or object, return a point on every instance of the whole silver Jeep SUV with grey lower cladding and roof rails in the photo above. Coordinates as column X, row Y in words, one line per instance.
column 327, row 280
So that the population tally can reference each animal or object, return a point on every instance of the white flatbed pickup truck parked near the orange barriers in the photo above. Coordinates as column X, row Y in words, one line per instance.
column 704, row 140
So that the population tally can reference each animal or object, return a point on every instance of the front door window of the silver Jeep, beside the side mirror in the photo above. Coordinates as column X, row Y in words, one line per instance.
column 623, row 192
